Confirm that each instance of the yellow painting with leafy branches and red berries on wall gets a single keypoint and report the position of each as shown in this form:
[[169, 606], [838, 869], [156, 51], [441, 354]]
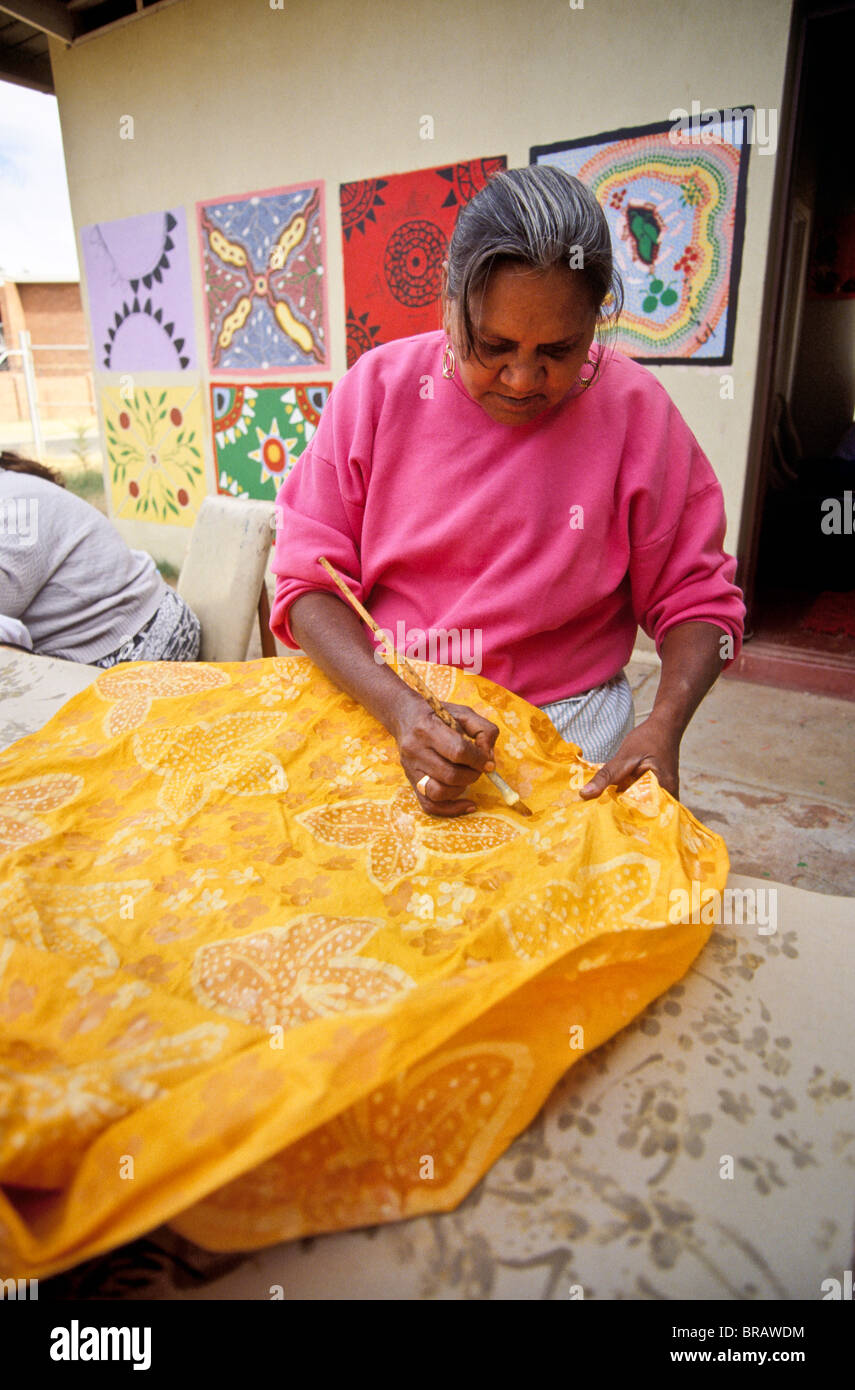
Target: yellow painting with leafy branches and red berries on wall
[[155, 454]]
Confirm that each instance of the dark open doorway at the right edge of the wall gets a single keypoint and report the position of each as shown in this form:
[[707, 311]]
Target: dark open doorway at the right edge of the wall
[[799, 544]]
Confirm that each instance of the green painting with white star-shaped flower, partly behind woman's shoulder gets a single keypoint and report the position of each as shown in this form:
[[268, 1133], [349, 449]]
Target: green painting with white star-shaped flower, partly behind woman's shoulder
[[261, 433]]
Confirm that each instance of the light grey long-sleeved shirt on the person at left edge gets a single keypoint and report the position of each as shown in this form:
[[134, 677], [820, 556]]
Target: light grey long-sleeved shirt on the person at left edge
[[67, 575]]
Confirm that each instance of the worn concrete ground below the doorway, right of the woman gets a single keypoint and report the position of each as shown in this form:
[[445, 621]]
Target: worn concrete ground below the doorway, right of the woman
[[774, 774]]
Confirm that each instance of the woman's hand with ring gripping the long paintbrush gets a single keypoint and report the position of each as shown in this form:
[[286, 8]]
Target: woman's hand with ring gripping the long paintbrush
[[427, 747]]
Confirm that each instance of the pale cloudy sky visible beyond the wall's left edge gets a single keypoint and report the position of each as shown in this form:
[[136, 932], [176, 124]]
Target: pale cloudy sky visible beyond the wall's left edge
[[37, 233]]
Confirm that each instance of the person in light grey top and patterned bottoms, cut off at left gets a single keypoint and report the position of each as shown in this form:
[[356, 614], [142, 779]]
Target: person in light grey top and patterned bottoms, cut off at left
[[72, 589]]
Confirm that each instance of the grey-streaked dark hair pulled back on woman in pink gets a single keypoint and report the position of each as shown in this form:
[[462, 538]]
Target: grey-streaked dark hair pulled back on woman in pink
[[539, 216]]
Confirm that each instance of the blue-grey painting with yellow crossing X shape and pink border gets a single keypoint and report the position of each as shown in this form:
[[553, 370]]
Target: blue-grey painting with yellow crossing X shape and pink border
[[265, 284]]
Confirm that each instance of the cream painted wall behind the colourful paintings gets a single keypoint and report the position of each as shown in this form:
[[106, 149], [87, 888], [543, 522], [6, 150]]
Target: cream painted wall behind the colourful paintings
[[234, 95]]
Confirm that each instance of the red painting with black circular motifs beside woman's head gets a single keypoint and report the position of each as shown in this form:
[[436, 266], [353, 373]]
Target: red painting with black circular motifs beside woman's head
[[396, 236]]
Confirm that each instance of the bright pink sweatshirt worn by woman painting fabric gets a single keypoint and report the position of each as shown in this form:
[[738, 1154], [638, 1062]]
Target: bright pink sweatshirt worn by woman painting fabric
[[543, 546]]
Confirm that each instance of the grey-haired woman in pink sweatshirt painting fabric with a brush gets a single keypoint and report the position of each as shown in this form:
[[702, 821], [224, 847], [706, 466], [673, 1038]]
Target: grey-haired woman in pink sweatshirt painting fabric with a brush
[[511, 479]]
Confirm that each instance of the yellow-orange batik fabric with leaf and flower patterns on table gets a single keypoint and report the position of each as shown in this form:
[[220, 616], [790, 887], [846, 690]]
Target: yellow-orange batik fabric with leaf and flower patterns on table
[[250, 989]]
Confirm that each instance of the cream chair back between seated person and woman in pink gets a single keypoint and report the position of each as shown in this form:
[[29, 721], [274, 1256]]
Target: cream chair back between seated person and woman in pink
[[223, 576]]
